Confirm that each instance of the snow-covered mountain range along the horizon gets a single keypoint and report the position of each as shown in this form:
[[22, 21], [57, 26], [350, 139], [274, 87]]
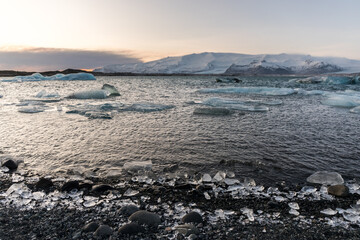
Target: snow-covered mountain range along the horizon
[[233, 63]]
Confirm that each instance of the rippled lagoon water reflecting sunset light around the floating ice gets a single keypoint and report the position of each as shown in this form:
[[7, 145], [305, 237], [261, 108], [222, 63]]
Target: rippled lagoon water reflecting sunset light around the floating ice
[[288, 142]]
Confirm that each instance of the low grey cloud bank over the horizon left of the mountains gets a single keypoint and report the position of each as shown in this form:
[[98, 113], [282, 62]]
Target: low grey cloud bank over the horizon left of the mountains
[[44, 59]]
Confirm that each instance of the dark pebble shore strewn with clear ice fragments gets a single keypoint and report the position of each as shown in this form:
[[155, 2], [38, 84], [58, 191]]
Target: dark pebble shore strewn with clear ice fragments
[[224, 214]]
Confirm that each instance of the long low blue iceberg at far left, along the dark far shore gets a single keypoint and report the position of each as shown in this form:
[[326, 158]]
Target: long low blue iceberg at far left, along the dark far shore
[[57, 77]]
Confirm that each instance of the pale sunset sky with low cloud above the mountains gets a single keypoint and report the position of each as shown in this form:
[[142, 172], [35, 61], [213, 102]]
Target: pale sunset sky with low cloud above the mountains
[[59, 34]]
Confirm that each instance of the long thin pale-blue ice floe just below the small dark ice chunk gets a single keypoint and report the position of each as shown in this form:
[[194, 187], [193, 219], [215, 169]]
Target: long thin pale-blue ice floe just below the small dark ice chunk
[[251, 90]]
